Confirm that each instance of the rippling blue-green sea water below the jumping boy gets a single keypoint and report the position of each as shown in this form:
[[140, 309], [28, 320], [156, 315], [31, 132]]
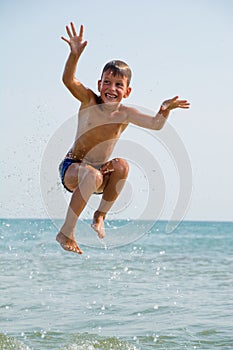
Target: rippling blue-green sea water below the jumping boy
[[161, 291]]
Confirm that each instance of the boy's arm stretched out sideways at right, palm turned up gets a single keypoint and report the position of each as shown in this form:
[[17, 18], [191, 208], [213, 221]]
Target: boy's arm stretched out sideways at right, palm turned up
[[157, 122]]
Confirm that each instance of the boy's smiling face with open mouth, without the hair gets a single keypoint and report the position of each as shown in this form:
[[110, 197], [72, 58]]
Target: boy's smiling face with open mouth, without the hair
[[113, 88]]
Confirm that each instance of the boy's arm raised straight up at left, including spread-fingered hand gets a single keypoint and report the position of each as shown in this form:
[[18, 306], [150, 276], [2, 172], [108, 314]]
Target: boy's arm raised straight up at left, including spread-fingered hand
[[76, 48]]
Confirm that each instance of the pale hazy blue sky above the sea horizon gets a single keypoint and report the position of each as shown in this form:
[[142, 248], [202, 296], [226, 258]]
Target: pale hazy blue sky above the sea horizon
[[178, 47]]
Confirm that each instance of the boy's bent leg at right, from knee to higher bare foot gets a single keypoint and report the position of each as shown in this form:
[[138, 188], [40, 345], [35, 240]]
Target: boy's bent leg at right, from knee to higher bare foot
[[111, 191]]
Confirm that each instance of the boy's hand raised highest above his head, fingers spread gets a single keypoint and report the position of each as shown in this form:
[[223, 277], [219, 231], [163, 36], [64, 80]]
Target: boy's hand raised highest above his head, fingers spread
[[76, 43]]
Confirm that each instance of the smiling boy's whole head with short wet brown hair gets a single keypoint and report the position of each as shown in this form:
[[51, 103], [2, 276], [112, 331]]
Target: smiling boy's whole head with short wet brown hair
[[114, 82]]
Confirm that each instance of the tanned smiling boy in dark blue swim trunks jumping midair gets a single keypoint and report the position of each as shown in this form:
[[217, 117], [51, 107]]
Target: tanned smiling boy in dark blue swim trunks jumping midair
[[86, 168]]
